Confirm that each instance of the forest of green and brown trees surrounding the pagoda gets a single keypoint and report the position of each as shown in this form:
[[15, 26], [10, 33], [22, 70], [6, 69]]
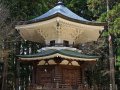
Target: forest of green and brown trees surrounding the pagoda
[[13, 12]]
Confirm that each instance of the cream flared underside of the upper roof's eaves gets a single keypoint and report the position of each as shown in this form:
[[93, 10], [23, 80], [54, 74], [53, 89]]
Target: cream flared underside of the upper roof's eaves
[[59, 29]]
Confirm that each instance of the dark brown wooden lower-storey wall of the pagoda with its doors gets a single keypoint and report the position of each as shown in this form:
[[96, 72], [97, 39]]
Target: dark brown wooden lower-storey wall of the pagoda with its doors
[[64, 75]]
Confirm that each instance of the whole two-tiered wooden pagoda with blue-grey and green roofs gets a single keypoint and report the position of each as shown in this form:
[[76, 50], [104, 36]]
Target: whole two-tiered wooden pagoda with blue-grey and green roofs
[[59, 65]]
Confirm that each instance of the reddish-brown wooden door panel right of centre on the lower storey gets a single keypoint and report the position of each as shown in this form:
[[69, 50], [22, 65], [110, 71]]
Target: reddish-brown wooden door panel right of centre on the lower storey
[[71, 76]]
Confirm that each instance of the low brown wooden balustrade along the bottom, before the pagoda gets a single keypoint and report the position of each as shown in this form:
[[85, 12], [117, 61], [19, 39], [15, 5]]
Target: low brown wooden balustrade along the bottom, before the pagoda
[[66, 87]]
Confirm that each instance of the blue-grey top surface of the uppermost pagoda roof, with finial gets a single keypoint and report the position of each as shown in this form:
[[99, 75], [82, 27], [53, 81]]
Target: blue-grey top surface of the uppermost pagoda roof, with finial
[[59, 9]]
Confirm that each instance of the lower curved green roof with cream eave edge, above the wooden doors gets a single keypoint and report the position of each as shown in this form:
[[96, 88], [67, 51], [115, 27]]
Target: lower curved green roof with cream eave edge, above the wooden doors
[[64, 53]]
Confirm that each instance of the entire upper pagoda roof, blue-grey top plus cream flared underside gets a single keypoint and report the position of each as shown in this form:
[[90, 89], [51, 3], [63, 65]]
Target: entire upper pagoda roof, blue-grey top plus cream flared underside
[[60, 24]]
